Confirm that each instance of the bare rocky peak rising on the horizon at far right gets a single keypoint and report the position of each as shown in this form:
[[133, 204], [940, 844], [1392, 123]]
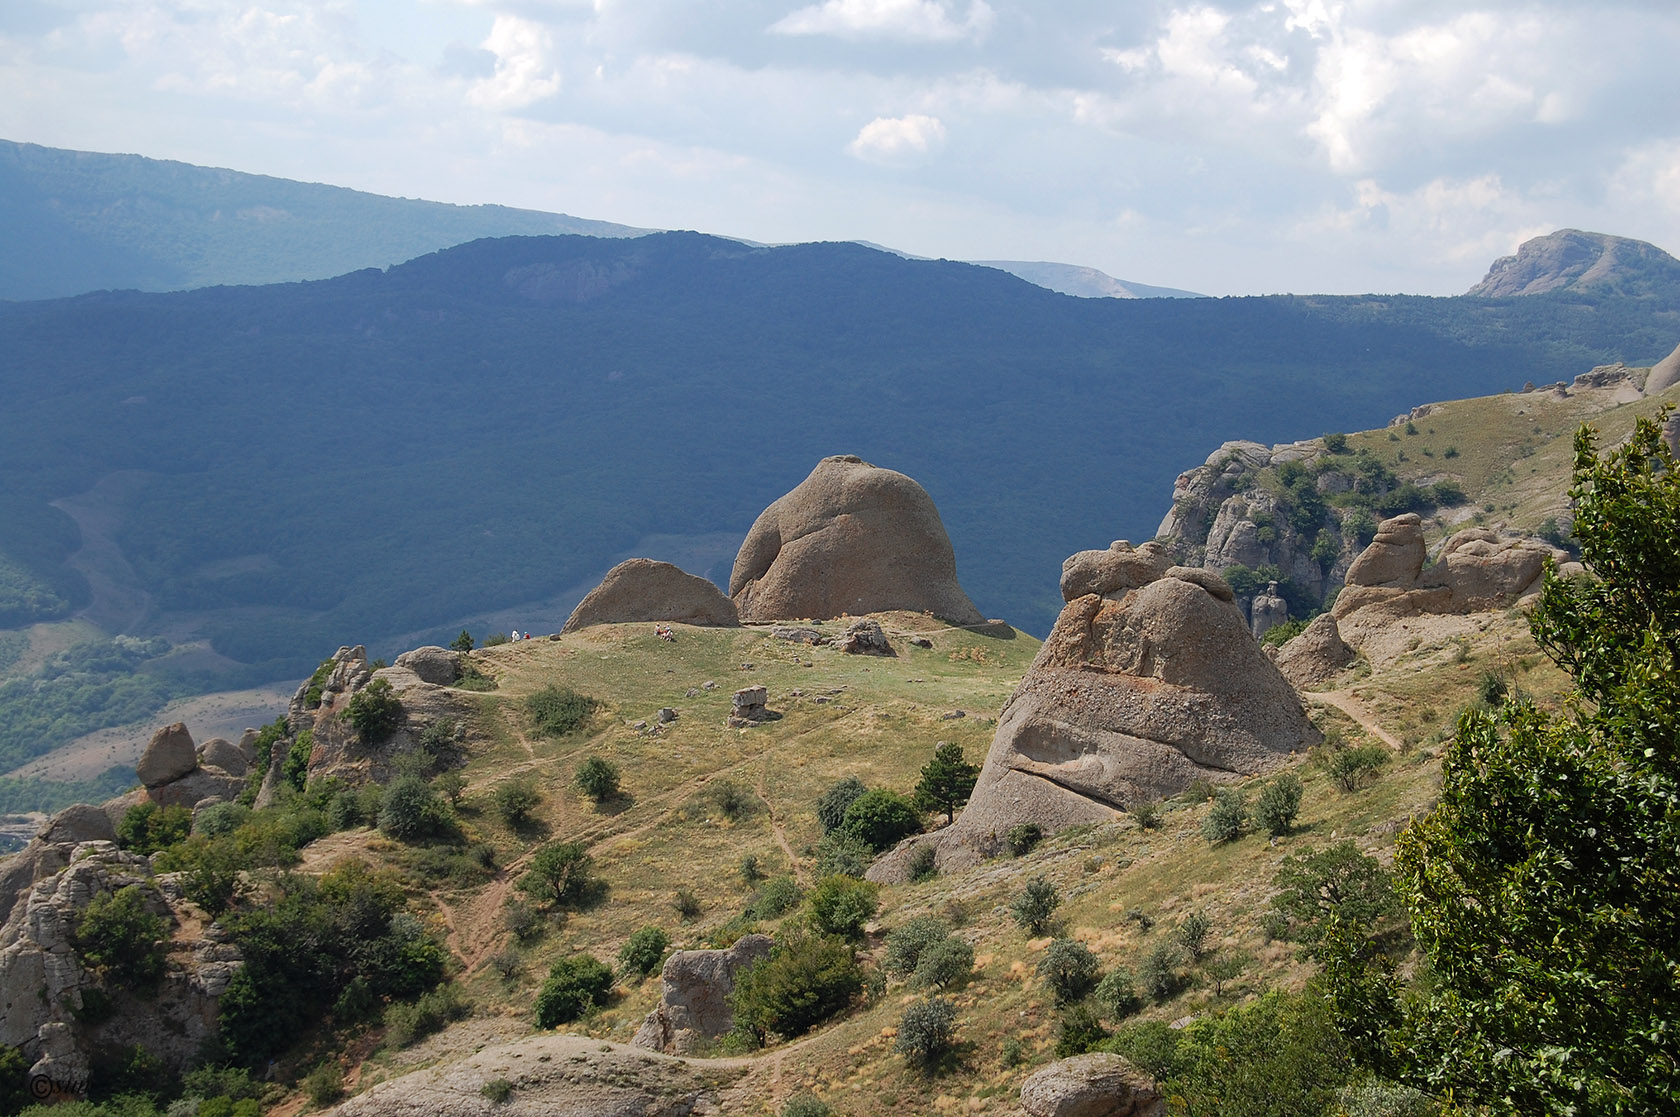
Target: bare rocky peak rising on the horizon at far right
[[1572, 260]]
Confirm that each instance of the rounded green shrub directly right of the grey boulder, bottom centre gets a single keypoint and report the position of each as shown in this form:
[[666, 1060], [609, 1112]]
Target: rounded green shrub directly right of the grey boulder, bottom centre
[[806, 980]]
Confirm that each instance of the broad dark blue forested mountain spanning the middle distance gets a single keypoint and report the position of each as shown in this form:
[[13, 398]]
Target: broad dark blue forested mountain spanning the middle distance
[[396, 454]]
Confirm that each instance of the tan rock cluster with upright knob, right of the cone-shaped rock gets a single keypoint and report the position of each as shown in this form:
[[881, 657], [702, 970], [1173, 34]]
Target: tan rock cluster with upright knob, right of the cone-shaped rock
[[1478, 570]]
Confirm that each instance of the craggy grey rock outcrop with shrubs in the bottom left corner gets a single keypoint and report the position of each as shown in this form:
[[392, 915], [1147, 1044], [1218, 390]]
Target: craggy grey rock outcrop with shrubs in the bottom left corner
[[43, 982]]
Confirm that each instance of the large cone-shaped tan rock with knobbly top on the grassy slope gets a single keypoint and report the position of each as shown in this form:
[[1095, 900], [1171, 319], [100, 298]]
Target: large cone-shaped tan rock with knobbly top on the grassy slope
[[1133, 696]]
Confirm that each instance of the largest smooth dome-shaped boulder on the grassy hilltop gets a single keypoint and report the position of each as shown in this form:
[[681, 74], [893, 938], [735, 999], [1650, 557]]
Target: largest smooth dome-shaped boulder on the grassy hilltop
[[851, 538]]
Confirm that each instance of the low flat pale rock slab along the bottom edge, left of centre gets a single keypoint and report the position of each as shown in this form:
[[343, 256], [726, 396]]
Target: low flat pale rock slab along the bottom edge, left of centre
[[552, 1076]]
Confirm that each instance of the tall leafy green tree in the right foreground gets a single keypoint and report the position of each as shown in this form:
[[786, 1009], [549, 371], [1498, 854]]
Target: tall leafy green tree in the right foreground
[[1545, 889]]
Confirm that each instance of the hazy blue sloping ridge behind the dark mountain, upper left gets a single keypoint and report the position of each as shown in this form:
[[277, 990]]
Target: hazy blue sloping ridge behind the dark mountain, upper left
[[81, 221]]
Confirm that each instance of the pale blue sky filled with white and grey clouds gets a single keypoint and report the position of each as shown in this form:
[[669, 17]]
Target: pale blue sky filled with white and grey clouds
[[1226, 147]]
